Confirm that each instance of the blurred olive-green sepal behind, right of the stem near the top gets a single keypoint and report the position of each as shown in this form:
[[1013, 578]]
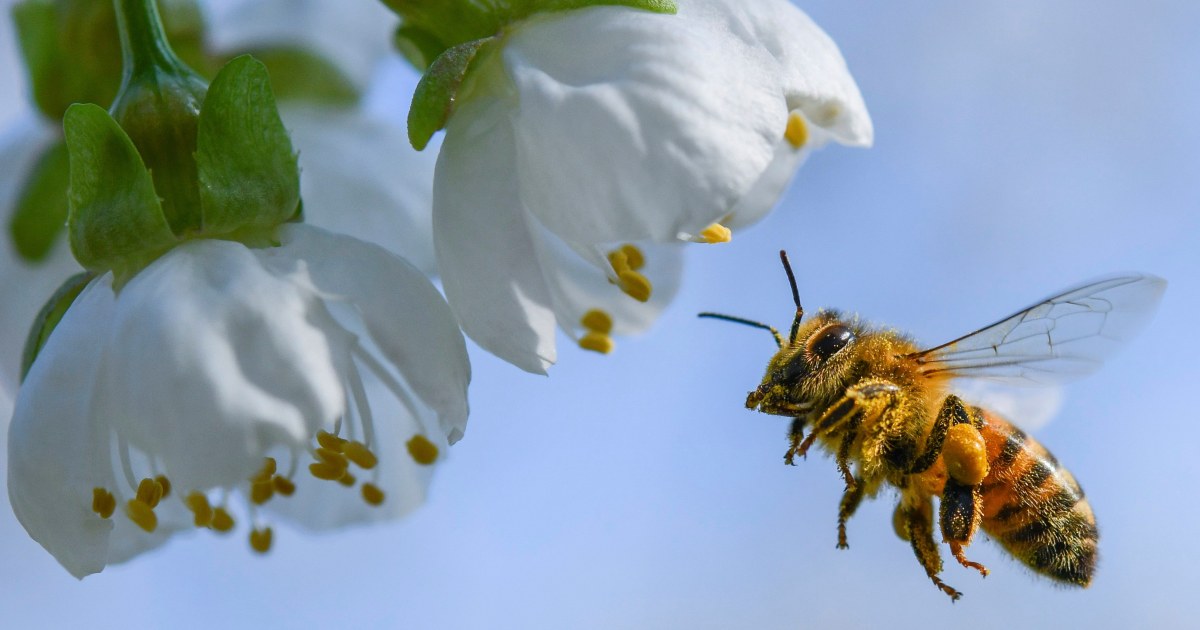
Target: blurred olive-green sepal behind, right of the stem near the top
[[301, 75]]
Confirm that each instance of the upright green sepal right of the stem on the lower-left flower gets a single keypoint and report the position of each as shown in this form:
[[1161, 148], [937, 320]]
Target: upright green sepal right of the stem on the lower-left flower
[[249, 173]]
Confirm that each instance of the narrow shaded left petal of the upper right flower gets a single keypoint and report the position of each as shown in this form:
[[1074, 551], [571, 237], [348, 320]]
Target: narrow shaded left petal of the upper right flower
[[485, 253]]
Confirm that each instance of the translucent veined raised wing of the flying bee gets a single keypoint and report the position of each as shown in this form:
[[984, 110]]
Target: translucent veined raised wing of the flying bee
[[1060, 339]]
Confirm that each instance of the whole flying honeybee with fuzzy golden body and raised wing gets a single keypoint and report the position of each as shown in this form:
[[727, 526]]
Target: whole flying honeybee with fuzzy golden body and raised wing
[[884, 409]]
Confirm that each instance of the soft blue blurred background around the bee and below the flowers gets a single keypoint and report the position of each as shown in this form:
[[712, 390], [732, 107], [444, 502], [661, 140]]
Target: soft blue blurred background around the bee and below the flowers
[[1022, 147]]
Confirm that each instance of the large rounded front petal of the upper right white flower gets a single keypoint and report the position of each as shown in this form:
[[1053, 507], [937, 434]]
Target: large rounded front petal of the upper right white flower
[[639, 127]]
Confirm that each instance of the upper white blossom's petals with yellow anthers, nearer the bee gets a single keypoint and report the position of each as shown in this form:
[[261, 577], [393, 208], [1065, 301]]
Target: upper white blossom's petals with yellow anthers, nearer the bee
[[604, 127]]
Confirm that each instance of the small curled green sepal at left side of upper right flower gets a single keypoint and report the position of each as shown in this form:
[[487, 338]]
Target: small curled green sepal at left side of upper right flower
[[435, 97]]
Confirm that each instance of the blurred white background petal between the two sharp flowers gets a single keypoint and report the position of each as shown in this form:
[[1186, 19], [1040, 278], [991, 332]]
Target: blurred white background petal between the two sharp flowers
[[361, 177]]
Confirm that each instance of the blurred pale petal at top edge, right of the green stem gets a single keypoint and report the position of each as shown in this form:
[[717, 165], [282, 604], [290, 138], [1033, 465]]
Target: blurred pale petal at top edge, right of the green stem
[[353, 35]]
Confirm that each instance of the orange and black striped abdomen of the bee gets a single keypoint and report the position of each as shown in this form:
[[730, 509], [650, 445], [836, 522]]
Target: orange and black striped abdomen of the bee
[[1035, 508]]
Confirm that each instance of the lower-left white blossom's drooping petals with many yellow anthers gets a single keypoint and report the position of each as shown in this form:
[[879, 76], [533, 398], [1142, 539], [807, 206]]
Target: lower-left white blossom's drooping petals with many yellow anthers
[[226, 371]]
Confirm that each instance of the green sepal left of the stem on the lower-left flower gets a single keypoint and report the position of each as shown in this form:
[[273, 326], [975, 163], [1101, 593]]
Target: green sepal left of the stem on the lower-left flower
[[116, 220]]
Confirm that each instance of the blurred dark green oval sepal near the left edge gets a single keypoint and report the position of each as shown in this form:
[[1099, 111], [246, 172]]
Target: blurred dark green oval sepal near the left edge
[[41, 209]]
